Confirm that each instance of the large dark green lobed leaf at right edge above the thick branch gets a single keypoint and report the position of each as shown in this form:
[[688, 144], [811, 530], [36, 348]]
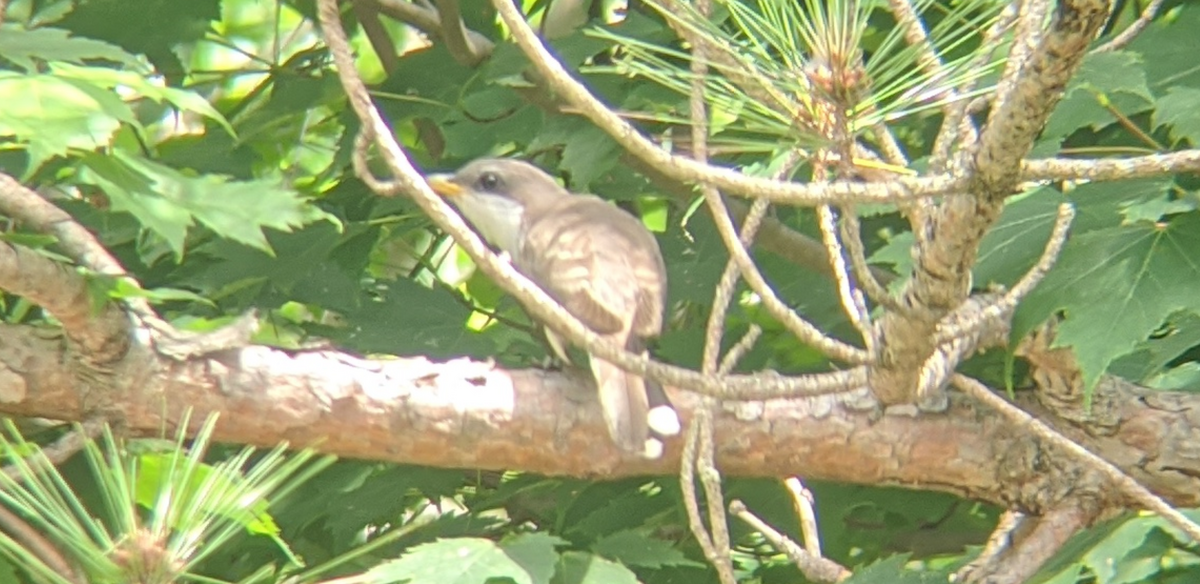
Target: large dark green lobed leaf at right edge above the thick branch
[[1117, 287]]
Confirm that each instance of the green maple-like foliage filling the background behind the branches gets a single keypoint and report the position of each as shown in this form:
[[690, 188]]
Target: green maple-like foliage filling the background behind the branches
[[207, 143]]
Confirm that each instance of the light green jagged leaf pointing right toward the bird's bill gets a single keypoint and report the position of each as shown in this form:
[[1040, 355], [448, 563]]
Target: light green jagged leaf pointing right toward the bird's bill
[[169, 202]]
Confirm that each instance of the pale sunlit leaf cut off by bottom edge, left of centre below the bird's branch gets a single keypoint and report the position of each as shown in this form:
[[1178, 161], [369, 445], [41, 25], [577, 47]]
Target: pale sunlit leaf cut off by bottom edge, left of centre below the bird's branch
[[465, 561]]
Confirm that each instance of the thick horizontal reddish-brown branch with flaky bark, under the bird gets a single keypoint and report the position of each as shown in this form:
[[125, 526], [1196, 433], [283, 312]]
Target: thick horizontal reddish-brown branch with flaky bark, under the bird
[[470, 414]]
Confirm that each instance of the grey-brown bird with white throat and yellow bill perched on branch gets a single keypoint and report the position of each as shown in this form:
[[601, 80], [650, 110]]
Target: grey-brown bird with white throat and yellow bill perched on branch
[[597, 261]]
